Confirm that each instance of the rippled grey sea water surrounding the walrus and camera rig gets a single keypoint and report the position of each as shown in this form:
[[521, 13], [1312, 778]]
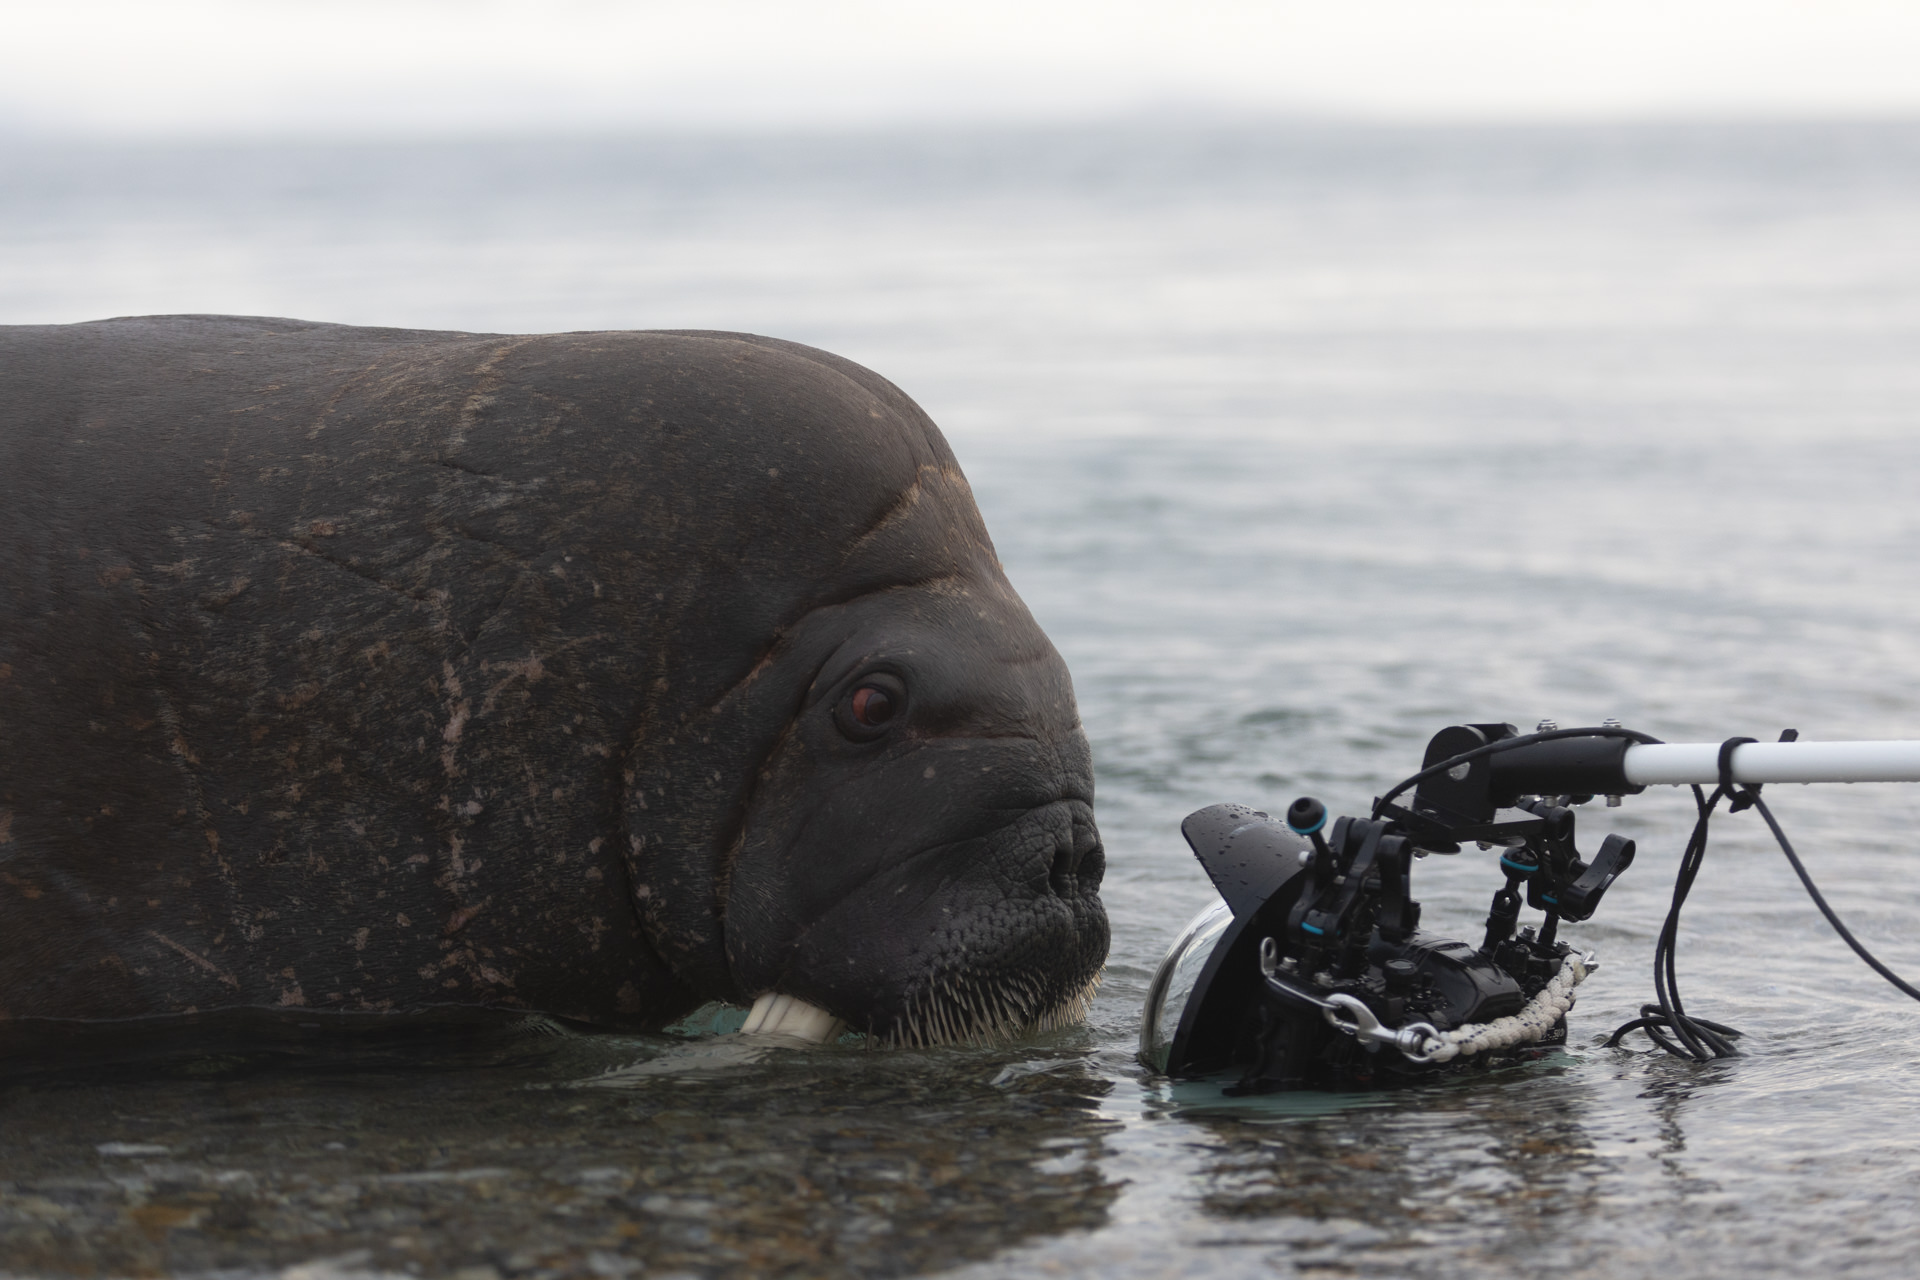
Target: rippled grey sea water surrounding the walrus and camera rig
[[1303, 444]]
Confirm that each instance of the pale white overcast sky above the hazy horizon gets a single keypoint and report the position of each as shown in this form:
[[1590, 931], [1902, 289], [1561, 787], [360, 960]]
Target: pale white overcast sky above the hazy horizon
[[489, 66]]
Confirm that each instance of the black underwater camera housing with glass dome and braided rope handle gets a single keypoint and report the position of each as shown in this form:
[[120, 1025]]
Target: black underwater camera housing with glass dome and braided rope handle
[[1312, 972]]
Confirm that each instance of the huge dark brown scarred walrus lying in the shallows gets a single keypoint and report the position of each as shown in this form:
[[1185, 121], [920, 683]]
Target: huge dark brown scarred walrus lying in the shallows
[[598, 675]]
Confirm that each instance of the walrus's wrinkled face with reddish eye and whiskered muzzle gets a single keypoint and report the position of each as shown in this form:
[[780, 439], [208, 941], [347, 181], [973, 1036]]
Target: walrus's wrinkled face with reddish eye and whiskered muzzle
[[921, 855]]
